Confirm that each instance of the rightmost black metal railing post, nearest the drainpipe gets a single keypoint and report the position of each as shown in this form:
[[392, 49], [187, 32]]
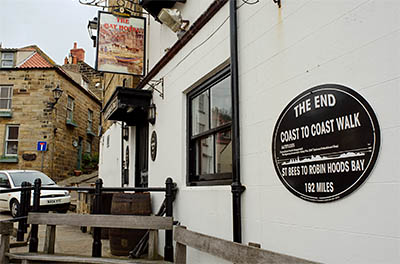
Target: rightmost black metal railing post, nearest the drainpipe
[[169, 198]]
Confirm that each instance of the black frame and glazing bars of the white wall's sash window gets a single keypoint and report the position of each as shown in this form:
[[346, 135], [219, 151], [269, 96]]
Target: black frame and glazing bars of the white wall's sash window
[[208, 179]]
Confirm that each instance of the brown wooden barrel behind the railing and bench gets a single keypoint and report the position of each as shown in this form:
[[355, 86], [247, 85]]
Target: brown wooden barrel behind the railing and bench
[[122, 241]]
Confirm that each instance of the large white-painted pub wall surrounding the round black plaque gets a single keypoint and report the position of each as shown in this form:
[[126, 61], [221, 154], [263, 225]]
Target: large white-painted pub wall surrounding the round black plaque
[[283, 52]]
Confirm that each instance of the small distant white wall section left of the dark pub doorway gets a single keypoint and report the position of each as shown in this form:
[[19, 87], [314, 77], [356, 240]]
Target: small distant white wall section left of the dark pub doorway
[[110, 156]]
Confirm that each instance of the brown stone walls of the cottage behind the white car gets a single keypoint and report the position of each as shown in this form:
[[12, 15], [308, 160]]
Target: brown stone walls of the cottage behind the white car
[[32, 90]]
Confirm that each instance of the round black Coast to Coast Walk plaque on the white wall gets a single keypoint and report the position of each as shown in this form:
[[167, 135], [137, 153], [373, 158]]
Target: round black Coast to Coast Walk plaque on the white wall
[[325, 143]]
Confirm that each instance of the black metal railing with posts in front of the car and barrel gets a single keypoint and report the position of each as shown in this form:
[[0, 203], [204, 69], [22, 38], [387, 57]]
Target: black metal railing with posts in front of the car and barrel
[[25, 207]]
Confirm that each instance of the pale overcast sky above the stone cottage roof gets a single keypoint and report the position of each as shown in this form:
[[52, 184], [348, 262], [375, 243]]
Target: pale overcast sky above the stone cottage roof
[[52, 25]]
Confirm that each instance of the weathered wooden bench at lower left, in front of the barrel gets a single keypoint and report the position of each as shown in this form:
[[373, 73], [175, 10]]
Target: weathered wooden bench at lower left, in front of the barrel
[[152, 223]]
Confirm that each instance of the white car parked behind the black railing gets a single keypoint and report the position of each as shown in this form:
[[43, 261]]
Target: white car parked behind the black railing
[[50, 200]]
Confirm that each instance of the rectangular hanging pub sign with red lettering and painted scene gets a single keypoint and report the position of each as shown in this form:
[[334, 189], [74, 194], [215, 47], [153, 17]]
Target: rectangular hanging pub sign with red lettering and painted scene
[[121, 44]]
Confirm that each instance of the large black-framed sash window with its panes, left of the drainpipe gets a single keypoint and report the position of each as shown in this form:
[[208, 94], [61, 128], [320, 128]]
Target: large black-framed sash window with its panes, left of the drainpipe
[[209, 137]]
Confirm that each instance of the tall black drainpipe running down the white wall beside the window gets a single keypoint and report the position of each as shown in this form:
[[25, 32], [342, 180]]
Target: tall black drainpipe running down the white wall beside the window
[[237, 187]]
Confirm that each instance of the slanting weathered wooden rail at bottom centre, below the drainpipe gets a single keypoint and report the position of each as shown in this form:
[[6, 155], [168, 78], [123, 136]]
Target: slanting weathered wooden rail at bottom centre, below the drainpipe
[[227, 250]]
